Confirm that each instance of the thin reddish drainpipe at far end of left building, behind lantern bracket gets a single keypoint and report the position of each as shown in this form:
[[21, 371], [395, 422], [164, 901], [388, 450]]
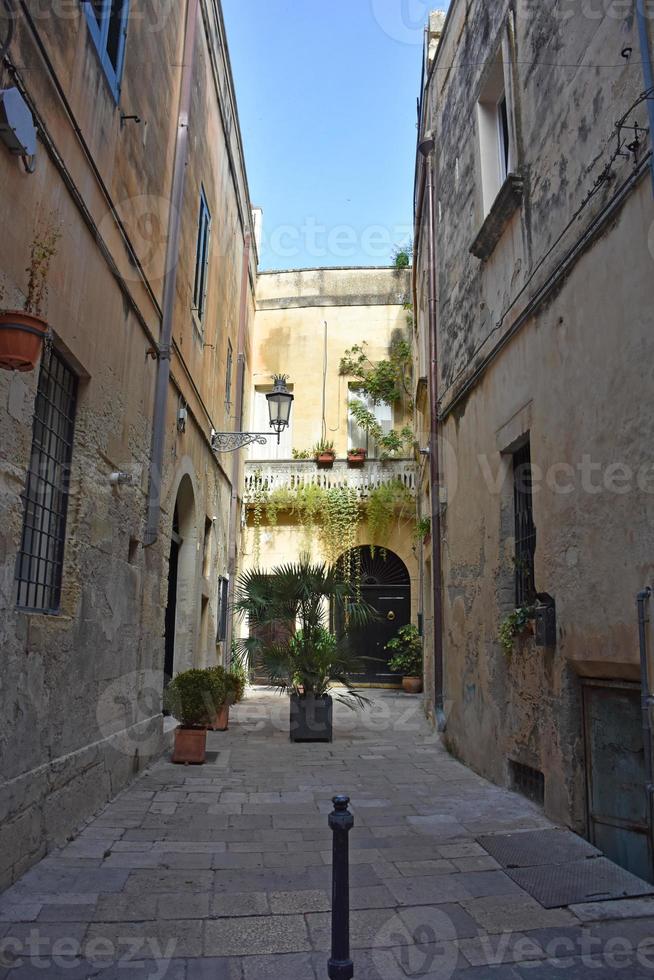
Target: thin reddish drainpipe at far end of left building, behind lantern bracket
[[234, 507]]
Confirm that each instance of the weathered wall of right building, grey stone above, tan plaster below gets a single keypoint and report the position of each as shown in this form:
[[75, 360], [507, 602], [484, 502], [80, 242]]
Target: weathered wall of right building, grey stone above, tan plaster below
[[548, 337]]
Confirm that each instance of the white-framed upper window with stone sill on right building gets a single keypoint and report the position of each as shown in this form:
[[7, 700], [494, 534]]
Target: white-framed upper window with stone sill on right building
[[496, 150]]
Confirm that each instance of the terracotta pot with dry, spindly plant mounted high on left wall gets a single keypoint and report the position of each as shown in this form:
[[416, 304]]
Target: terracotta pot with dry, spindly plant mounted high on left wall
[[22, 332]]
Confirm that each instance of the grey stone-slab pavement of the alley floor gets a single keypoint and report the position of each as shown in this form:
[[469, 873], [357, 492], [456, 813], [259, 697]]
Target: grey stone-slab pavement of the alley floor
[[223, 871]]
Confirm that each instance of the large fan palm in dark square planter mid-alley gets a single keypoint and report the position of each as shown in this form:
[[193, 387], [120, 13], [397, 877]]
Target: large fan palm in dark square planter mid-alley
[[308, 663]]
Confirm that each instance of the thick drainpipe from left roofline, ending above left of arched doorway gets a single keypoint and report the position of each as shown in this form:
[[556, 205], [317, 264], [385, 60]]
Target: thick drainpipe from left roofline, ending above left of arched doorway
[[170, 281]]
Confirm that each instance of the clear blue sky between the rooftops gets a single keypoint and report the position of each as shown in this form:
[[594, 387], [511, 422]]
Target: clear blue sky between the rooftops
[[327, 103]]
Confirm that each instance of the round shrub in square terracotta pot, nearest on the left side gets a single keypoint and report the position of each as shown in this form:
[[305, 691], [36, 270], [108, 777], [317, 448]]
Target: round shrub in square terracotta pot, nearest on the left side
[[191, 697]]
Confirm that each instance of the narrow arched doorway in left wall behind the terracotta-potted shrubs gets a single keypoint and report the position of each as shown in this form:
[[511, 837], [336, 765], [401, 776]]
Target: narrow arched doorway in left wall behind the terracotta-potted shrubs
[[181, 609]]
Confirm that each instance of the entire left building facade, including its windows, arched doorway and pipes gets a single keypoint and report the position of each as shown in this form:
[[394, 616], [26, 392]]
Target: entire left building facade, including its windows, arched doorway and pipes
[[139, 171]]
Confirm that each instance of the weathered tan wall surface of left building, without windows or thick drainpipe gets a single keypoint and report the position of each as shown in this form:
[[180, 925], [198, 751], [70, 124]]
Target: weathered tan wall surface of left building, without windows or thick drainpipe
[[80, 694]]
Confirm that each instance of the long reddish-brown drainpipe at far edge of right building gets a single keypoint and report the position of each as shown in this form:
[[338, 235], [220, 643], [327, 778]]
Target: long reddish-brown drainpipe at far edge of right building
[[426, 148]]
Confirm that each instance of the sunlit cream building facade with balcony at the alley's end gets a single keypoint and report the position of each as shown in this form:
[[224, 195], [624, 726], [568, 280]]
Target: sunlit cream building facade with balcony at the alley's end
[[305, 322]]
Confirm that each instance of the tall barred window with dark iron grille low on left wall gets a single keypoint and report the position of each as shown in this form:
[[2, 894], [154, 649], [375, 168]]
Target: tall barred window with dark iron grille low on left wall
[[39, 566]]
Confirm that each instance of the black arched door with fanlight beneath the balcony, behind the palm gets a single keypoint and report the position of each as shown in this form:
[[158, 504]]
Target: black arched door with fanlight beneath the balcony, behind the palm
[[386, 586]]
